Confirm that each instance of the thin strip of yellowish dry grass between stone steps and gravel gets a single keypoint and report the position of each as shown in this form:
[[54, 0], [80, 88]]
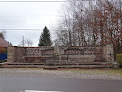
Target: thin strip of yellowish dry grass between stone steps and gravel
[[83, 71]]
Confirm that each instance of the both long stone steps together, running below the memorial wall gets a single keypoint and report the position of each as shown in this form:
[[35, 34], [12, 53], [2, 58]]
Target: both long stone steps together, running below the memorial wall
[[56, 65]]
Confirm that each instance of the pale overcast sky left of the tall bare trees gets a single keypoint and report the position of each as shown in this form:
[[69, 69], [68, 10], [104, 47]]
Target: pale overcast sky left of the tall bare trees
[[28, 15]]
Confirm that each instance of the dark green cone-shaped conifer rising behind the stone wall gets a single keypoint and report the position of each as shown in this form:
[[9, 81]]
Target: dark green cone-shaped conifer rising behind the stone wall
[[45, 39]]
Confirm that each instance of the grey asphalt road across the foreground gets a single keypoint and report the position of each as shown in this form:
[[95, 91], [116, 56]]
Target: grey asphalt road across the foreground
[[22, 84]]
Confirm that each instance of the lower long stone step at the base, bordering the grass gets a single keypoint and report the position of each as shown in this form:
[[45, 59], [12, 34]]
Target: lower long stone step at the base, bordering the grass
[[56, 66]]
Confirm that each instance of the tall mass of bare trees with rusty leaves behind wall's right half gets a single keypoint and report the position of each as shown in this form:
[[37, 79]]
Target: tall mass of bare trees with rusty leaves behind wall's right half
[[97, 23]]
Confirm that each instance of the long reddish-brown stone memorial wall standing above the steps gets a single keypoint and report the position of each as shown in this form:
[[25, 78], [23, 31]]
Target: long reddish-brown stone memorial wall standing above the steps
[[52, 54]]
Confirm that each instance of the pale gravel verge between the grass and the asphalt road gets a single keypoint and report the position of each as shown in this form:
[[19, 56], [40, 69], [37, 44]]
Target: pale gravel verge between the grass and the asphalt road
[[56, 74]]
